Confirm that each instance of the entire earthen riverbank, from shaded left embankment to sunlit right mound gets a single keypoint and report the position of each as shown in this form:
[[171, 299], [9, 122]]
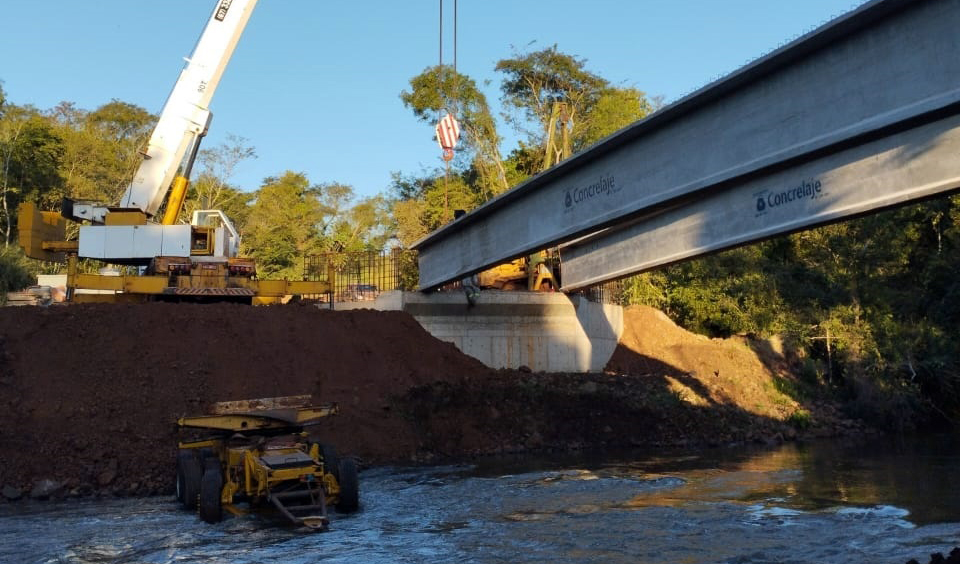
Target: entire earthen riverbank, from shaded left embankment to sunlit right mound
[[89, 394]]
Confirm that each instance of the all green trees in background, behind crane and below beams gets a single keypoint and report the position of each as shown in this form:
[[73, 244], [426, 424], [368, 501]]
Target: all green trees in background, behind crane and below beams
[[869, 306]]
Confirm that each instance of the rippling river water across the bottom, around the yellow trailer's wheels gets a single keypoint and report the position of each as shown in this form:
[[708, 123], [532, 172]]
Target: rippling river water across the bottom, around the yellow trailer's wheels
[[887, 500]]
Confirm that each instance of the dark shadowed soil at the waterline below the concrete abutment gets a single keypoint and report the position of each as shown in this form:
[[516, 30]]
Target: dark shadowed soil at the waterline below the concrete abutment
[[633, 405]]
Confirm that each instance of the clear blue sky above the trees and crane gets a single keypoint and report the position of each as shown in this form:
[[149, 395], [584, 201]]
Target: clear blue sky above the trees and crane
[[314, 86]]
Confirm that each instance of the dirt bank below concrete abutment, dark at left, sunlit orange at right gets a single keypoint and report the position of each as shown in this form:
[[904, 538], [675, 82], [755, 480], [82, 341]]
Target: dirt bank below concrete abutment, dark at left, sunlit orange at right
[[663, 386]]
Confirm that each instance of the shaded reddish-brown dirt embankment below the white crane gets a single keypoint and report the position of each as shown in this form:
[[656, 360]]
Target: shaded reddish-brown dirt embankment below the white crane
[[89, 393]]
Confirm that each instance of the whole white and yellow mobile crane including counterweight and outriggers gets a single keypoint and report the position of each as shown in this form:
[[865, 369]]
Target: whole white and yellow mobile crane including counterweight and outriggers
[[175, 261]]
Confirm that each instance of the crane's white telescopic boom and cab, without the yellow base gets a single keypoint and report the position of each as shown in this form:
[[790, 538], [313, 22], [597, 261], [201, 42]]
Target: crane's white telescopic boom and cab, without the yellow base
[[128, 233]]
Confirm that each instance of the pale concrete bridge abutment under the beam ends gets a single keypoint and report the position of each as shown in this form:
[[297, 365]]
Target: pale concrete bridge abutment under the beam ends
[[549, 332]]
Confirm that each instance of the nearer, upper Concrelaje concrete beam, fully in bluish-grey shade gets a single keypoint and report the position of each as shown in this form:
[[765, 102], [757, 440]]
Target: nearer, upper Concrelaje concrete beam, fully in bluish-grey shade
[[886, 68]]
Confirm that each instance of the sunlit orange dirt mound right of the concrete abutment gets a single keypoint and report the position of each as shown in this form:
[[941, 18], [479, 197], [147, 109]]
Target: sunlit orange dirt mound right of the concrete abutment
[[751, 376]]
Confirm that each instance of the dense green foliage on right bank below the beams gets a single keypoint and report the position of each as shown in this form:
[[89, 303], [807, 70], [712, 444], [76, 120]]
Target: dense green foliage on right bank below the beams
[[870, 306]]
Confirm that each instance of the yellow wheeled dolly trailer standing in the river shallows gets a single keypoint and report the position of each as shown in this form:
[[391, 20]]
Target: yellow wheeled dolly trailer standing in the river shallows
[[257, 452]]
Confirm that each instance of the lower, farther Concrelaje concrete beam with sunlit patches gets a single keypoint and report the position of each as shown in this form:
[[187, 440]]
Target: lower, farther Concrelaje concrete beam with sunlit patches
[[897, 169]]
